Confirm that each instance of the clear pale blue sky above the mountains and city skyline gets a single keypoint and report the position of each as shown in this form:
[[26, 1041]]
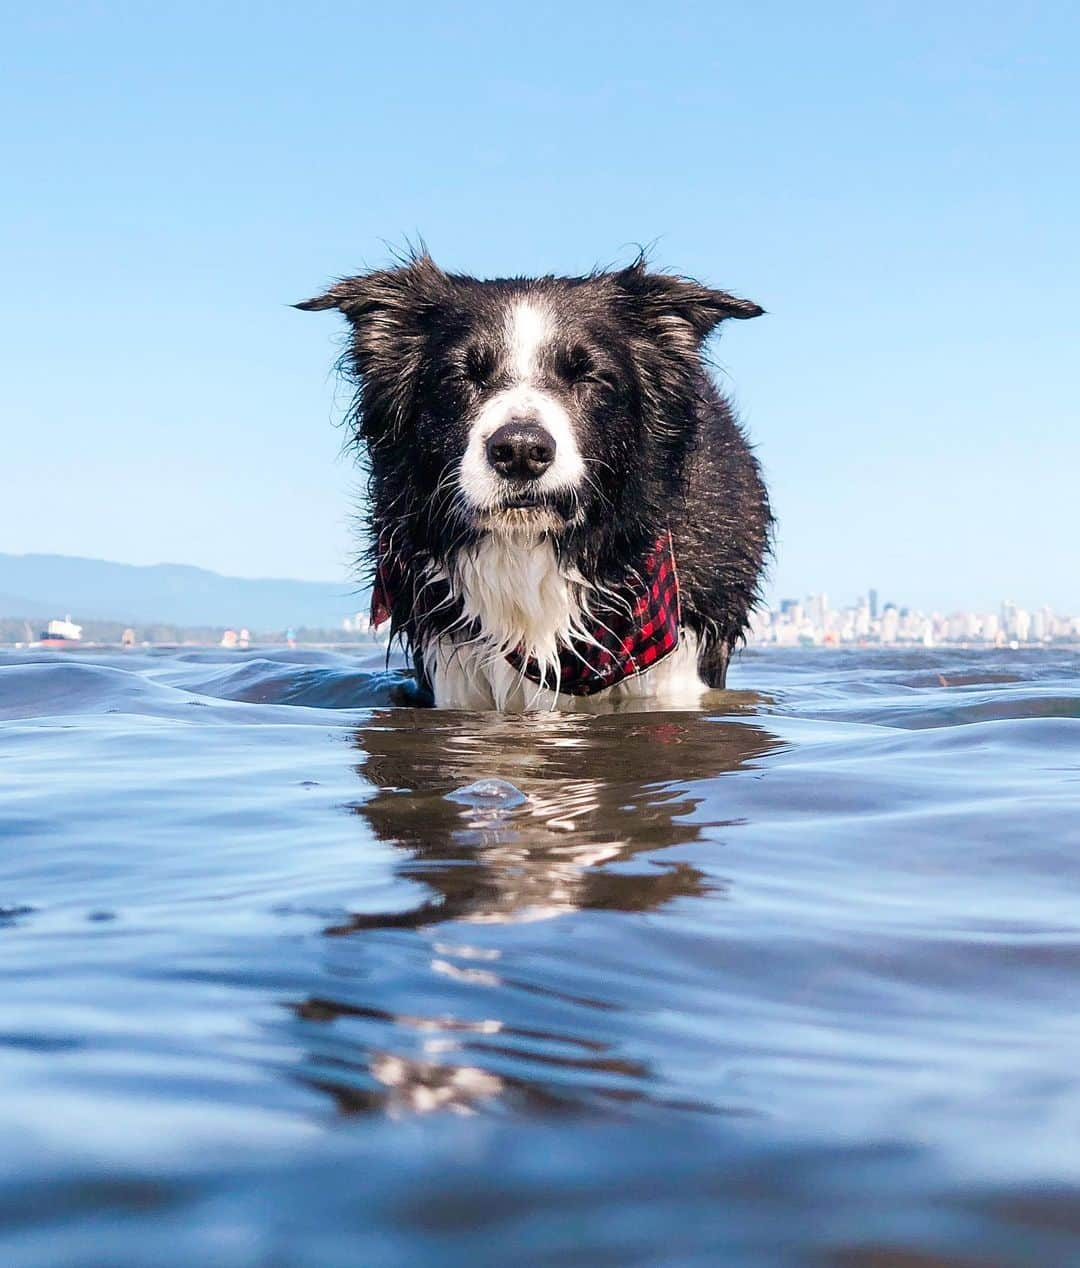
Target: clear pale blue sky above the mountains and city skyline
[[898, 184]]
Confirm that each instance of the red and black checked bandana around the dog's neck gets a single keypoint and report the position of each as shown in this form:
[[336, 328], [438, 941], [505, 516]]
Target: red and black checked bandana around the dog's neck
[[629, 636]]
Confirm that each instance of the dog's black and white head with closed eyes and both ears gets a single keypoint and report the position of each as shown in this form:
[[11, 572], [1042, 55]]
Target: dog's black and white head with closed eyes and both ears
[[527, 406]]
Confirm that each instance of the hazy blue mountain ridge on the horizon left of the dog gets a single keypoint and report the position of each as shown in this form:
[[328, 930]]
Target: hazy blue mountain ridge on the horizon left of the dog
[[37, 586]]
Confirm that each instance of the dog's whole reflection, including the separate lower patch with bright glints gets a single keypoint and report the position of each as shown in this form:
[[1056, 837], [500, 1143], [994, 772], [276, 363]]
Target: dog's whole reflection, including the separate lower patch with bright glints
[[513, 820]]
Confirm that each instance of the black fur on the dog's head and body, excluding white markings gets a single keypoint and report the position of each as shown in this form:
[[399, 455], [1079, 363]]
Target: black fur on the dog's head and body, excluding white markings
[[662, 446]]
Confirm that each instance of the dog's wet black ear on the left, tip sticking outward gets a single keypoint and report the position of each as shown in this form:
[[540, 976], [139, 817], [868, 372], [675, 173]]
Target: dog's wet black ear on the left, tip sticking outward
[[391, 313]]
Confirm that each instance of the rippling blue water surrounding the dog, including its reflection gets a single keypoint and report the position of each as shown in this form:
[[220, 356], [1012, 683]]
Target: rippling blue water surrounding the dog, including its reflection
[[295, 974]]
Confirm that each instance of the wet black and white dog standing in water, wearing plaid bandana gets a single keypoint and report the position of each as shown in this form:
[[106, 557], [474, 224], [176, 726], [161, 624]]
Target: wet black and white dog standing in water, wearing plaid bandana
[[563, 509]]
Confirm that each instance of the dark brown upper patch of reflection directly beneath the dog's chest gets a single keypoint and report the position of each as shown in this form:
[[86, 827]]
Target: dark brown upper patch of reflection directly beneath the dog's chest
[[509, 818]]
